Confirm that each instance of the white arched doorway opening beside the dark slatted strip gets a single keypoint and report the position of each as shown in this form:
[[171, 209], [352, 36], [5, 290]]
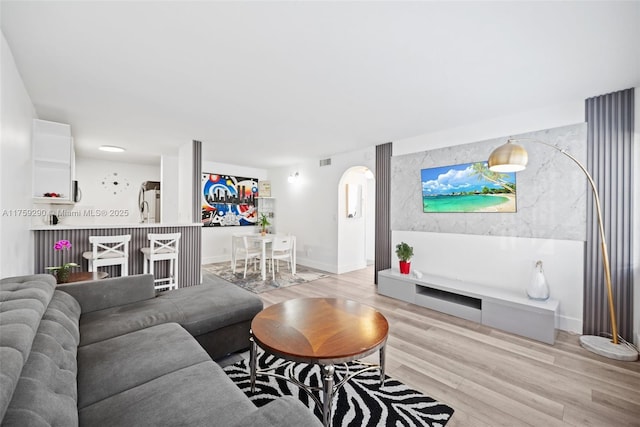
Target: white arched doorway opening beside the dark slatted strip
[[356, 219]]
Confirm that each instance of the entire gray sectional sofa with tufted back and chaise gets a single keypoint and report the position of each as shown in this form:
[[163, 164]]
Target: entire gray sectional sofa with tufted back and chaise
[[111, 353]]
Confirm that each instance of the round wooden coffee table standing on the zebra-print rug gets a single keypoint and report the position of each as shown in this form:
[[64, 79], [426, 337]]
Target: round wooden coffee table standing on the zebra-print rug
[[321, 331]]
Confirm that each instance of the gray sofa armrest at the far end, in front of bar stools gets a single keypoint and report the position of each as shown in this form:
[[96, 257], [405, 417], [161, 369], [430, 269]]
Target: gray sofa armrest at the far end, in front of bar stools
[[97, 295]]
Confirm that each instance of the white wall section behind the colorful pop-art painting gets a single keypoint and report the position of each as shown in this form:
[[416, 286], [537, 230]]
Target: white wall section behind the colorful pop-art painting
[[216, 241]]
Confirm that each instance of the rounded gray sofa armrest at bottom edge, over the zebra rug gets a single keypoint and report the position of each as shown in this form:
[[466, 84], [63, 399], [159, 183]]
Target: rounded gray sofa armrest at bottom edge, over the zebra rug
[[282, 412]]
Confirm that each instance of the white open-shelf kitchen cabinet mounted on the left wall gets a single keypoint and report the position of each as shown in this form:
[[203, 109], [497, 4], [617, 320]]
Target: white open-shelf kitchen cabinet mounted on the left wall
[[53, 162]]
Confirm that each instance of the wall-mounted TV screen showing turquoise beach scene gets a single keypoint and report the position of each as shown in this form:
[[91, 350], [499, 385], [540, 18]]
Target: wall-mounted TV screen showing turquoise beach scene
[[468, 187]]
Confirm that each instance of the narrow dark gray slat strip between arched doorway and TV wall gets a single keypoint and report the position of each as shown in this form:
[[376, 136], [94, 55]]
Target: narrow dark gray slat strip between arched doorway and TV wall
[[383, 209]]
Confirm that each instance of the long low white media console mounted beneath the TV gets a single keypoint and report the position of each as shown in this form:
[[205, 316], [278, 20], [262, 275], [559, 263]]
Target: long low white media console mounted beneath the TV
[[493, 307]]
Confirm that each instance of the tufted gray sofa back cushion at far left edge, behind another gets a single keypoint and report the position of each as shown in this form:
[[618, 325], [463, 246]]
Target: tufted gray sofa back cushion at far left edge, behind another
[[23, 301]]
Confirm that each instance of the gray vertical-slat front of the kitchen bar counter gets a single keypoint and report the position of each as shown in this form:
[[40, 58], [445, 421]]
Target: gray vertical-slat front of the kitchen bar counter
[[189, 258]]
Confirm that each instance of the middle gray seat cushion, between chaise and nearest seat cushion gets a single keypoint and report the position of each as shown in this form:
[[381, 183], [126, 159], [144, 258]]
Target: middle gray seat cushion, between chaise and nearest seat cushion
[[112, 366]]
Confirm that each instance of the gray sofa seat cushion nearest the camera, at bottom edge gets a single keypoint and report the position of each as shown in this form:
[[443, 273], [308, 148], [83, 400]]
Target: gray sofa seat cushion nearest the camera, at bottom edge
[[199, 395]]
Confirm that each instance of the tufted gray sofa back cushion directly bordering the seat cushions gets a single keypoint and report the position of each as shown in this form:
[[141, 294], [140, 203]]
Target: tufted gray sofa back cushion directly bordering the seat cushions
[[46, 393]]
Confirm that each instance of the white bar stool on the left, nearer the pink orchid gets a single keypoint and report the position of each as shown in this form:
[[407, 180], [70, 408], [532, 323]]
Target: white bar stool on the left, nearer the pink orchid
[[109, 250]]
